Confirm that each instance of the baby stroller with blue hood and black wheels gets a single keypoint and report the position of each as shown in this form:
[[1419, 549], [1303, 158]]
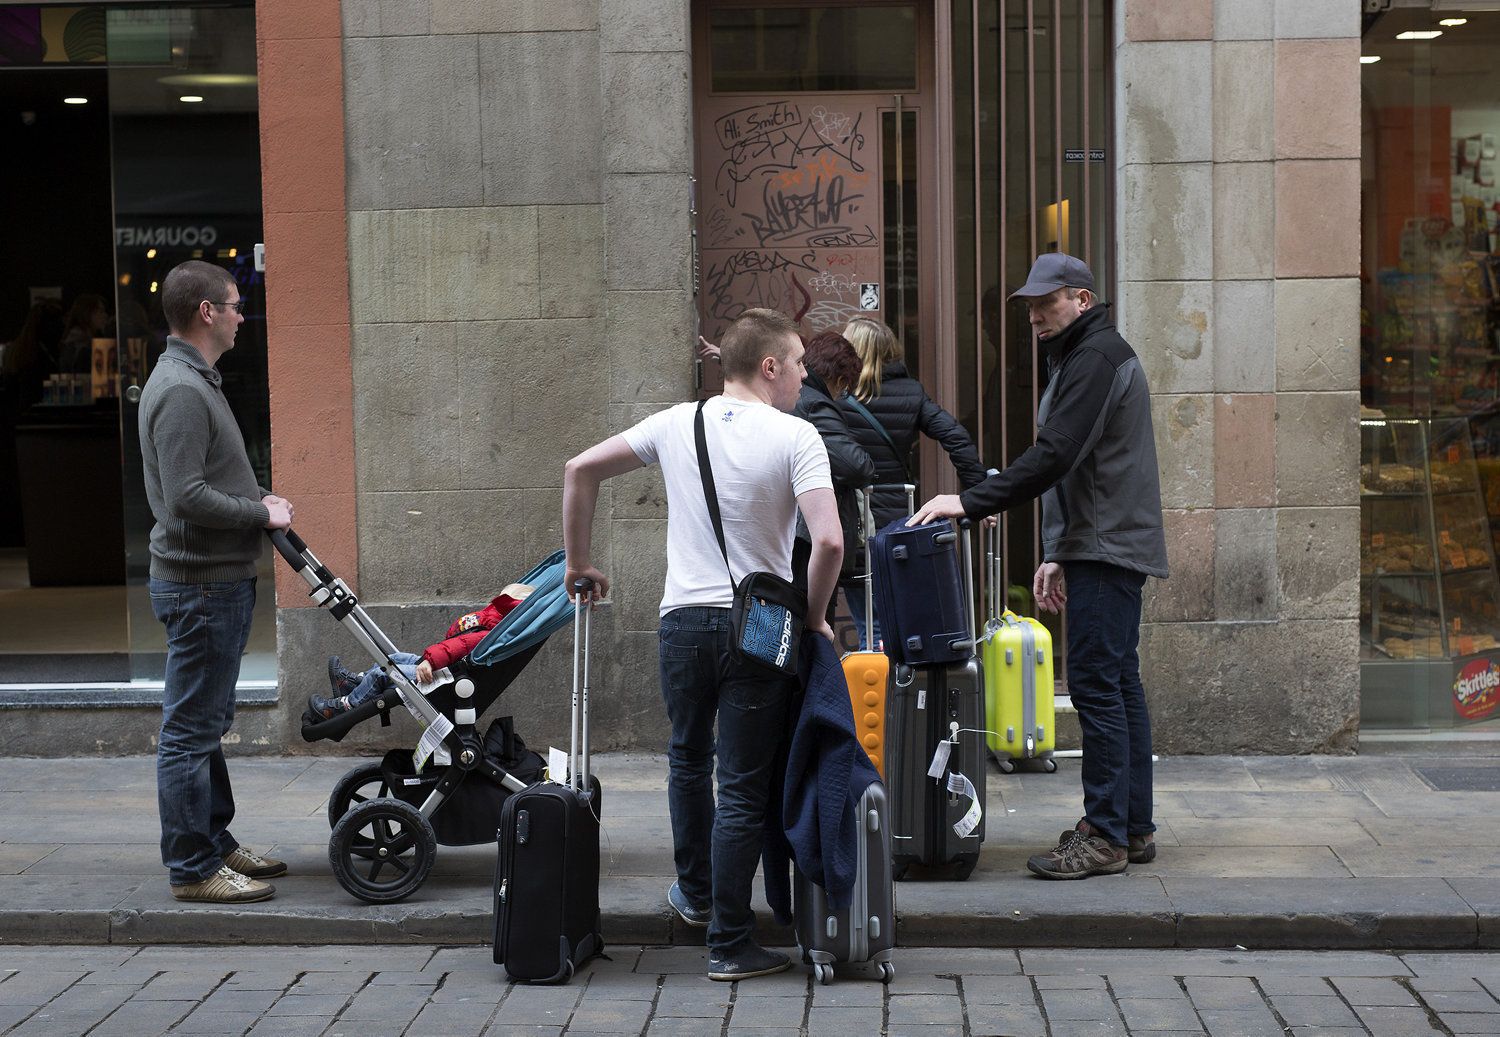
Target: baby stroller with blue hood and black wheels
[[389, 817]]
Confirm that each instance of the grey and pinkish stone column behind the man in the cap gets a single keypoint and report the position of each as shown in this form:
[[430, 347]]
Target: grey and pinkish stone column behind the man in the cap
[[1238, 143]]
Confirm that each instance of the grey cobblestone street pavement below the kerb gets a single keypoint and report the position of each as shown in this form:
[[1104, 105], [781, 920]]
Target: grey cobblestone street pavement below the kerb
[[659, 993]]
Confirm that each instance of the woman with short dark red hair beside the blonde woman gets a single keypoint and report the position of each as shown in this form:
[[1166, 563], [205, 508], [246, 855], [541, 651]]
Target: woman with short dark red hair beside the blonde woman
[[832, 370]]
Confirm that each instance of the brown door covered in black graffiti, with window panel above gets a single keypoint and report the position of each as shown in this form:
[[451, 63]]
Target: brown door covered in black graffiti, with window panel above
[[812, 131]]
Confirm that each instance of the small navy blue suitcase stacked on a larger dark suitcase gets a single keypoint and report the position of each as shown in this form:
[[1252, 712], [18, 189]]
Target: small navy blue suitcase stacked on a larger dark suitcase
[[919, 588]]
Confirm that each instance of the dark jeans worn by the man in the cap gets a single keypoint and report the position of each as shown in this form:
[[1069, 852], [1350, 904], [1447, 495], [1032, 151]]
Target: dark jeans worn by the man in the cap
[[1106, 690]]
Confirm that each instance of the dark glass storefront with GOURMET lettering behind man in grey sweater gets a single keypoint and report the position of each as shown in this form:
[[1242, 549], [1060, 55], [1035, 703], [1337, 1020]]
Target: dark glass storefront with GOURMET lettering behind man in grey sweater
[[133, 145]]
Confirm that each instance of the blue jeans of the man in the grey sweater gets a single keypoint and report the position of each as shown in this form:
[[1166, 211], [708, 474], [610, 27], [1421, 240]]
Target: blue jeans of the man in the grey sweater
[[208, 627]]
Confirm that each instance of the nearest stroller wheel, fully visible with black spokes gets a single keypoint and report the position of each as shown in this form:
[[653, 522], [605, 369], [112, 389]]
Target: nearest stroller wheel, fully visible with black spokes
[[383, 850]]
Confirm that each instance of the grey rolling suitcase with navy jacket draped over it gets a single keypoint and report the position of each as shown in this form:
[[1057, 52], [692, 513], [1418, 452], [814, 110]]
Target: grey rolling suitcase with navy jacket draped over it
[[863, 933]]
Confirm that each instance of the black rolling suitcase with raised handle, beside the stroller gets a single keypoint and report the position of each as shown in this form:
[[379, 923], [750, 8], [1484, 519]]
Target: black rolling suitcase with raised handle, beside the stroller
[[547, 883]]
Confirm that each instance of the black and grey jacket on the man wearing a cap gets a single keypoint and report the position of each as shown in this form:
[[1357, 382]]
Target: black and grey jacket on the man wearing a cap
[[1094, 463]]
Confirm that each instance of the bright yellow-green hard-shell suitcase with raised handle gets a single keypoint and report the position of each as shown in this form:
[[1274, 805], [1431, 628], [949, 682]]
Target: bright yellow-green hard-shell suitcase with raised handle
[[1019, 691]]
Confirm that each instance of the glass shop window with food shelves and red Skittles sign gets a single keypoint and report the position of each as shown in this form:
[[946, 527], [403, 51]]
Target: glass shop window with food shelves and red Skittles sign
[[1430, 371]]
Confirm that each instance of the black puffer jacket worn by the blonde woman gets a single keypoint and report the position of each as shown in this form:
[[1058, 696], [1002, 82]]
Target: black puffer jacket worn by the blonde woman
[[907, 412]]
